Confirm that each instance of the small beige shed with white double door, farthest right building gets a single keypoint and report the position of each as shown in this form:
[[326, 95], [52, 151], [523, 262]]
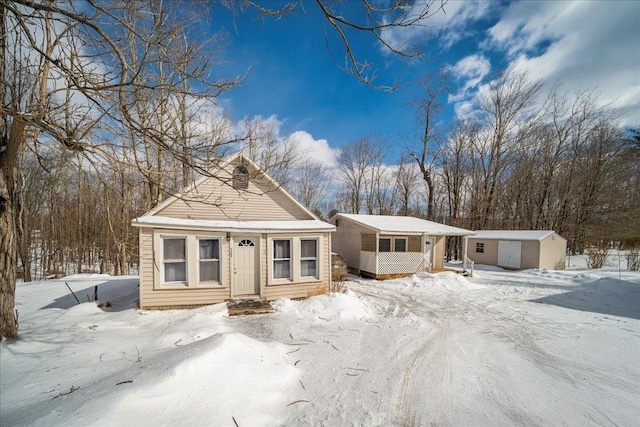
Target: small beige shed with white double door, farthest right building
[[518, 249]]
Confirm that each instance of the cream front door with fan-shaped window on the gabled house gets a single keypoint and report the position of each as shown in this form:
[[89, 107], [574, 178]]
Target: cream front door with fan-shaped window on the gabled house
[[245, 263]]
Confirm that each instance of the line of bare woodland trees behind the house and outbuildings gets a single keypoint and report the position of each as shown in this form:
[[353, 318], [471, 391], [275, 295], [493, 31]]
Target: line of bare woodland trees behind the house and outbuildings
[[524, 159]]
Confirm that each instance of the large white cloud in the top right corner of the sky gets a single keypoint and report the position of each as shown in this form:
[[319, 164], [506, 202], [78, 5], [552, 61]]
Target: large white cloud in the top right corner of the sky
[[584, 45]]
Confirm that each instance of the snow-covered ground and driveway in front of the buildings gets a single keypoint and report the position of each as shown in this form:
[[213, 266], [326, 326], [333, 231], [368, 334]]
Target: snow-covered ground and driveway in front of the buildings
[[531, 347]]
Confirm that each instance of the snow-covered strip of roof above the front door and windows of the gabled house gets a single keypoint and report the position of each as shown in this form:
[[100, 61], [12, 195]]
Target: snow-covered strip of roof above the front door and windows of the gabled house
[[230, 225]]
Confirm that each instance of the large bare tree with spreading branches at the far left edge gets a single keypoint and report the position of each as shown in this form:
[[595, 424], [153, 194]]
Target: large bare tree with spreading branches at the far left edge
[[67, 76]]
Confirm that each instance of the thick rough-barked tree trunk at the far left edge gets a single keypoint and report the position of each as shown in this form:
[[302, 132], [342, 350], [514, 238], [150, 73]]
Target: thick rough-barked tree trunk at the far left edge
[[8, 234]]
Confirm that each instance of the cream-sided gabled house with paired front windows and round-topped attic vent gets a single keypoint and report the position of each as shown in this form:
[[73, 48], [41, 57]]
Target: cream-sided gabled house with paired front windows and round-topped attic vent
[[234, 235]]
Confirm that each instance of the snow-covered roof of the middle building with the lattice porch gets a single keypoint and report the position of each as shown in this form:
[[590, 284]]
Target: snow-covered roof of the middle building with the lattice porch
[[405, 225]]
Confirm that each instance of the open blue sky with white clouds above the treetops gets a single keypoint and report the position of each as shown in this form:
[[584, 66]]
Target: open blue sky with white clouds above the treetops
[[295, 82]]
